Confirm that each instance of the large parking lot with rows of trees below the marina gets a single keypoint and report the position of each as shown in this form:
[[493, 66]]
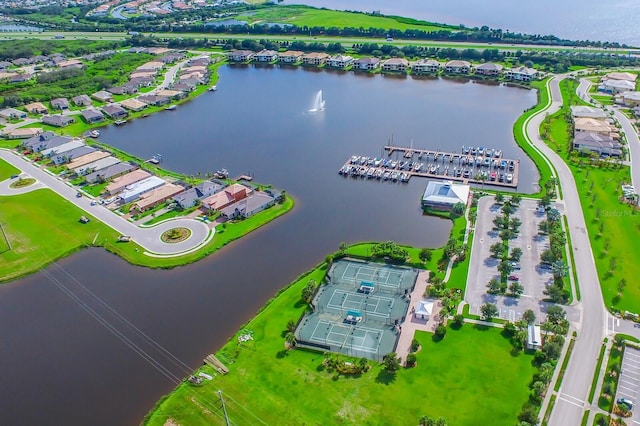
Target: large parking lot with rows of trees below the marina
[[483, 267]]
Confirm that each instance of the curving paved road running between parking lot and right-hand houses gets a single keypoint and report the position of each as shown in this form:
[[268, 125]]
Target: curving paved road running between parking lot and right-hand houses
[[593, 325]]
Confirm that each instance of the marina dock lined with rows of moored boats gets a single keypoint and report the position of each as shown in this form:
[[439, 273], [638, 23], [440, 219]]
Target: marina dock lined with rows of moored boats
[[473, 165]]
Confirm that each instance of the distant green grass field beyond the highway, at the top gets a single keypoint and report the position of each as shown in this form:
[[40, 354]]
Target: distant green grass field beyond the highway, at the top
[[311, 17]]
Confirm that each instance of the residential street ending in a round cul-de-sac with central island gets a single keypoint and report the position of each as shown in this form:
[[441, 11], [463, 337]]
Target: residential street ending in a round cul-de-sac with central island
[[148, 238]]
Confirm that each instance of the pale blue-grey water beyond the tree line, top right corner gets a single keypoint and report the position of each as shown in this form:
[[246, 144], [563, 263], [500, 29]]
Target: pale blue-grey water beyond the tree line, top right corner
[[613, 20]]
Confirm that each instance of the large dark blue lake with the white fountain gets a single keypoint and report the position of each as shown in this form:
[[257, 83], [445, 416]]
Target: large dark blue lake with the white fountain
[[82, 341]]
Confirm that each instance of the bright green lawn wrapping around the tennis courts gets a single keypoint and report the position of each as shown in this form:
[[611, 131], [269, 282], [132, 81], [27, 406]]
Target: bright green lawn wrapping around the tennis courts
[[484, 386]]
